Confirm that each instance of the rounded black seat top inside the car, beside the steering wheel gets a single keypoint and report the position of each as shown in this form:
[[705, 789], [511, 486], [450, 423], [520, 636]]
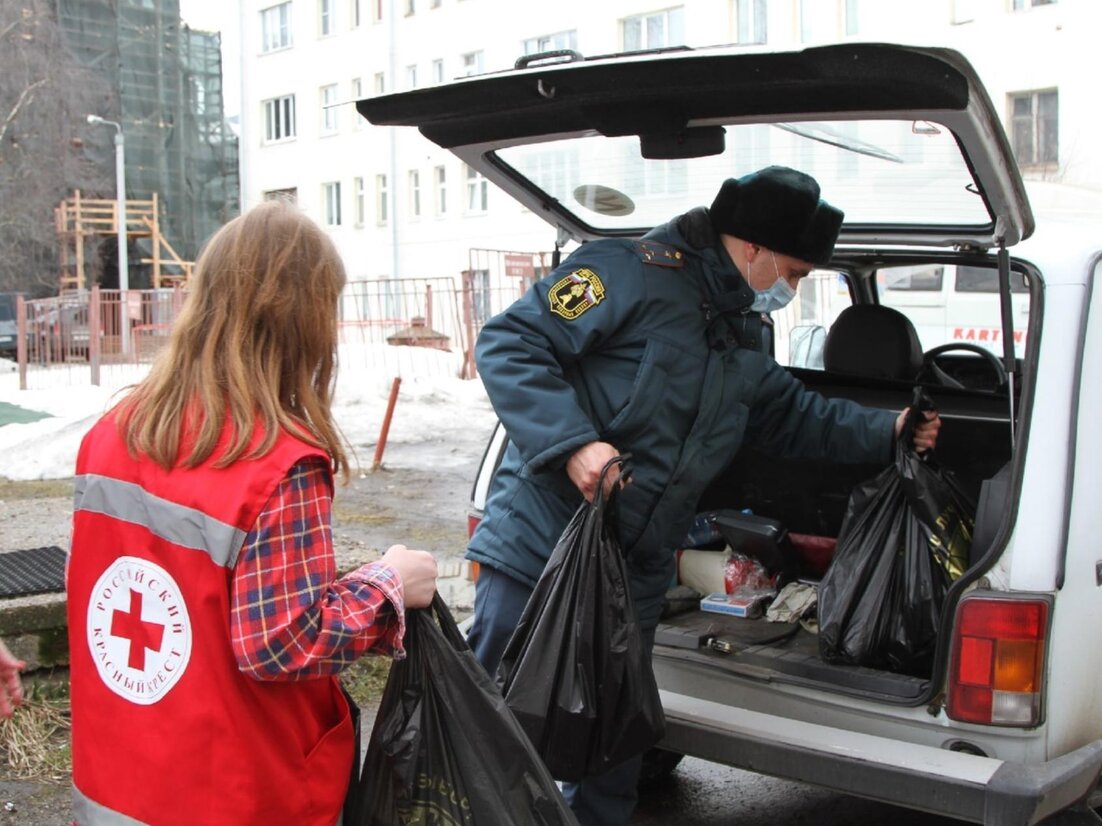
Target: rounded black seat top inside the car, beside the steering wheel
[[876, 342]]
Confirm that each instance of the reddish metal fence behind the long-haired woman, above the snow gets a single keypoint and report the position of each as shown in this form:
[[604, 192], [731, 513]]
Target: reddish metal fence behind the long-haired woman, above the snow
[[395, 327]]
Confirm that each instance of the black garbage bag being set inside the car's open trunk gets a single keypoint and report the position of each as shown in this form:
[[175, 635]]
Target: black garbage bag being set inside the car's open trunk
[[905, 538]]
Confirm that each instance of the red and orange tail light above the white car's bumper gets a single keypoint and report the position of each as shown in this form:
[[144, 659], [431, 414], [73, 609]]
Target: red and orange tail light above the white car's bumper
[[998, 661]]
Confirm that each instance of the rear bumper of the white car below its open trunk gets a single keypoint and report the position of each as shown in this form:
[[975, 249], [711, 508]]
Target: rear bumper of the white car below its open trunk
[[939, 781]]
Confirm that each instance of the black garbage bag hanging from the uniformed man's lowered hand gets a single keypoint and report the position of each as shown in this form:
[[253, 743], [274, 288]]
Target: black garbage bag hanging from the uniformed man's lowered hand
[[575, 672]]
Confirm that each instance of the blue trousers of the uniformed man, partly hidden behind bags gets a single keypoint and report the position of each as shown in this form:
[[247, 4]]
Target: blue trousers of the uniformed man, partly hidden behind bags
[[500, 601]]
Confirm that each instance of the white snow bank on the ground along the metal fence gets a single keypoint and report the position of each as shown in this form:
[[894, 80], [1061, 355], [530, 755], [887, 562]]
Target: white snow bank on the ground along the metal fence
[[439, 420]]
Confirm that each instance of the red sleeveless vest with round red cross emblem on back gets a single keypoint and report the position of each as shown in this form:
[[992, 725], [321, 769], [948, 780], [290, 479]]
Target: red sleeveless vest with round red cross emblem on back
[[166, 729]]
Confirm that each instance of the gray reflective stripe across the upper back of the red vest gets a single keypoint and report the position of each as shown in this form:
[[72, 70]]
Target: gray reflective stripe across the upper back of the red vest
[[174, 523]]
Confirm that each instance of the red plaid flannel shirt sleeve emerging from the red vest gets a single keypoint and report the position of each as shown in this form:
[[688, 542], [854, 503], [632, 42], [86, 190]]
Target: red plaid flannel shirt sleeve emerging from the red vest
[[290, 616]]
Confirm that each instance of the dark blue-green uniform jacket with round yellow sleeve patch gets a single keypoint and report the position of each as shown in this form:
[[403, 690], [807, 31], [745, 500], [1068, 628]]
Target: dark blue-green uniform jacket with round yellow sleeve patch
[[612, 346]]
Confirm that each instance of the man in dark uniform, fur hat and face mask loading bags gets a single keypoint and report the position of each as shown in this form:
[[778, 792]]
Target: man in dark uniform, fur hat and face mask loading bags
[[653, 347]]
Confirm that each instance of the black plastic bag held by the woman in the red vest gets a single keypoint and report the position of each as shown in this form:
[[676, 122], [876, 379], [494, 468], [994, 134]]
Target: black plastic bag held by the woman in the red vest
[[446, 748]]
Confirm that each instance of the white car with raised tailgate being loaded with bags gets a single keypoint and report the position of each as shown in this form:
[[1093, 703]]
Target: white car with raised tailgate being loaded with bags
[[1004, 727]]
